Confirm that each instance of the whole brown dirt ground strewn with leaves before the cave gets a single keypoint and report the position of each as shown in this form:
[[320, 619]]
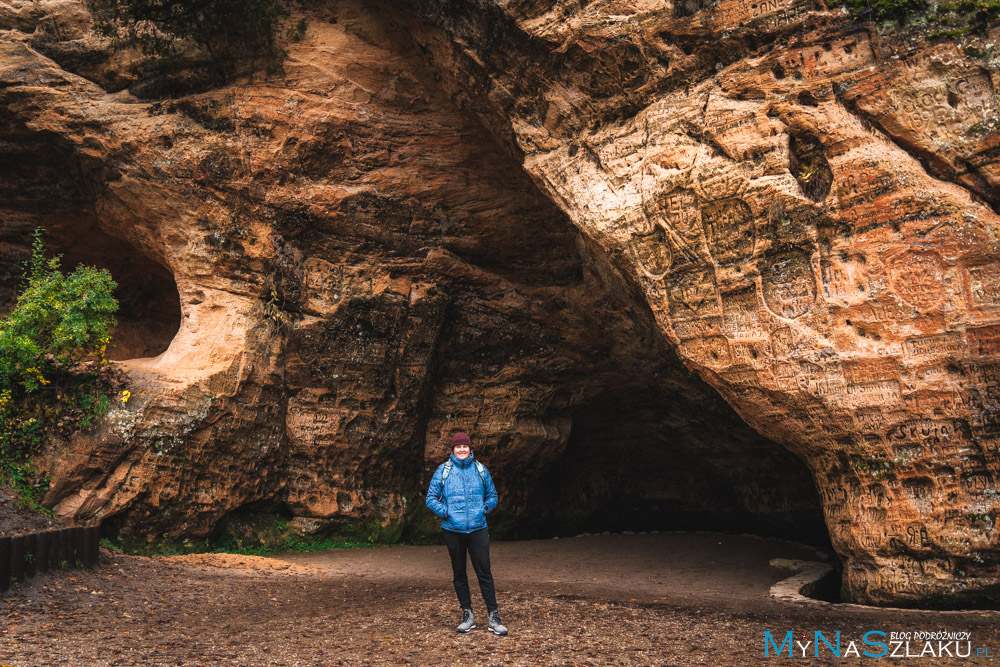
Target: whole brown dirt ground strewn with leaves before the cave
[[671, 599]]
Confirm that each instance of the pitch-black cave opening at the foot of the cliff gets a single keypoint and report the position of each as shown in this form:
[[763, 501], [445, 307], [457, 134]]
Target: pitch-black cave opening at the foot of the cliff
[[673, 461]]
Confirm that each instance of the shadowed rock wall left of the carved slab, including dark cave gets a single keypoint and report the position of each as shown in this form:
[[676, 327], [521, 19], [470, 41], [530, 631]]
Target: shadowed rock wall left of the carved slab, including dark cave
[[323, 275]]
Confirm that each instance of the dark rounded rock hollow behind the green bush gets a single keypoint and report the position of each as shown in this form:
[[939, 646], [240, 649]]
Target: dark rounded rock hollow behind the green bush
[[45, 182]]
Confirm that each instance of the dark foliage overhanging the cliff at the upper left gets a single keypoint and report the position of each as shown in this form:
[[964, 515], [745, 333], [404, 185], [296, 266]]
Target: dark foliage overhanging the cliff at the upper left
[[235, 33]]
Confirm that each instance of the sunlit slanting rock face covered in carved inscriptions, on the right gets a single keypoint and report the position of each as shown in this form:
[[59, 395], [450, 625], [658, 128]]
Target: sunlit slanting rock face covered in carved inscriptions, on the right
[[809, 204]]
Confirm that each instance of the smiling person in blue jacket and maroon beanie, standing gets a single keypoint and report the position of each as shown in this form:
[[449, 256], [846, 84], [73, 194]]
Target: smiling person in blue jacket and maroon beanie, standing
[[461, 493]]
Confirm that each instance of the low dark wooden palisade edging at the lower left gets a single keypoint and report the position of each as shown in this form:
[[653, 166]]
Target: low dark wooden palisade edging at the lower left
[[23, 556]]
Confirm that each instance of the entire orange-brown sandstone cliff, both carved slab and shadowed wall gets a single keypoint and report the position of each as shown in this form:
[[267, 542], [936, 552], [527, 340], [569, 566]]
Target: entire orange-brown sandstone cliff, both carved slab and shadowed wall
[[565, 229]]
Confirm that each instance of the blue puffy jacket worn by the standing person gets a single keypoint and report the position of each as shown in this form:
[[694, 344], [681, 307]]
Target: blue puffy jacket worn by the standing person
[[462, 500]]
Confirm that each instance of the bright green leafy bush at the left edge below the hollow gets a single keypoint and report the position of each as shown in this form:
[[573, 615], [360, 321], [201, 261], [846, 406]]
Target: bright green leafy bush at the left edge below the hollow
[[57, 322]]
